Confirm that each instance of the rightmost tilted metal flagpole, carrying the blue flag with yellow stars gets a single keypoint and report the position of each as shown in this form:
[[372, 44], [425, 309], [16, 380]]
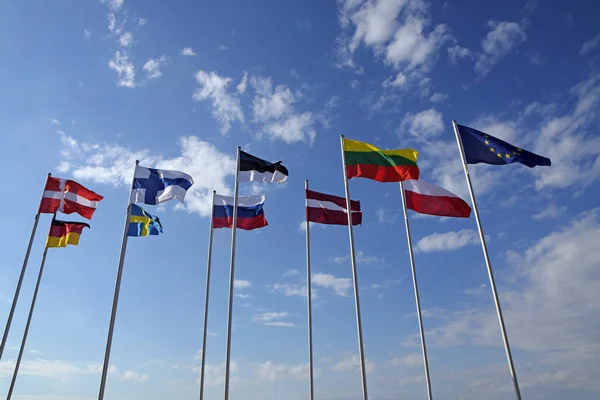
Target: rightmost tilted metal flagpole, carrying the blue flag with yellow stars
[[511, 365]]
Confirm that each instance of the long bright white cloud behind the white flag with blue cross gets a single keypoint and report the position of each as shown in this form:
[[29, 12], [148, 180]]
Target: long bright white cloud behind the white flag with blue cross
[[113, 164]]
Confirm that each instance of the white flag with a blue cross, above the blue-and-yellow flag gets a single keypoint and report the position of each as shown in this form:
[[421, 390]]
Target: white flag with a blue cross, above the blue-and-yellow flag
[[155, 186]]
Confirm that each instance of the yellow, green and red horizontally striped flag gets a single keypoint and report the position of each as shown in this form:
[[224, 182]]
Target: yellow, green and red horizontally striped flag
[[367, 161]]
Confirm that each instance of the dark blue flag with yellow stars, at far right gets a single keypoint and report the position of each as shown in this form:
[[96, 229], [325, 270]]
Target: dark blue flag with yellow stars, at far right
[[480, 147]]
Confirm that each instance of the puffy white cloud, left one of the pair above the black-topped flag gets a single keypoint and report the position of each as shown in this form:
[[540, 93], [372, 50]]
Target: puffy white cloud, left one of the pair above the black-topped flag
[[226, 107]]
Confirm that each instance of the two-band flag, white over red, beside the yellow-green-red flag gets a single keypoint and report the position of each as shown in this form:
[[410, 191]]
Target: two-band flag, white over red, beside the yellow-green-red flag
[[427, 198]]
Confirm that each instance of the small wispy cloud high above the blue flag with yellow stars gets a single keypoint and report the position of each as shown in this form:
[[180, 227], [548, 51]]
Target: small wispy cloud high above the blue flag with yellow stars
[[502, 38]]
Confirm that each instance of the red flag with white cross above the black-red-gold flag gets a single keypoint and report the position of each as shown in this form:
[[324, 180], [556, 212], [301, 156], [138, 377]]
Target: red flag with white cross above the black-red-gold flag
[[68, 197]]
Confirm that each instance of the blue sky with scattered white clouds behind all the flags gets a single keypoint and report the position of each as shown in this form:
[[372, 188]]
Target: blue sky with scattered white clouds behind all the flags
[[89, 87]]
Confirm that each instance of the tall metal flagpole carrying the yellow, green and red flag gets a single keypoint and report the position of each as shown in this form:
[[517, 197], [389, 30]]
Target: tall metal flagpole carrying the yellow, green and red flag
[[361, 354]]
